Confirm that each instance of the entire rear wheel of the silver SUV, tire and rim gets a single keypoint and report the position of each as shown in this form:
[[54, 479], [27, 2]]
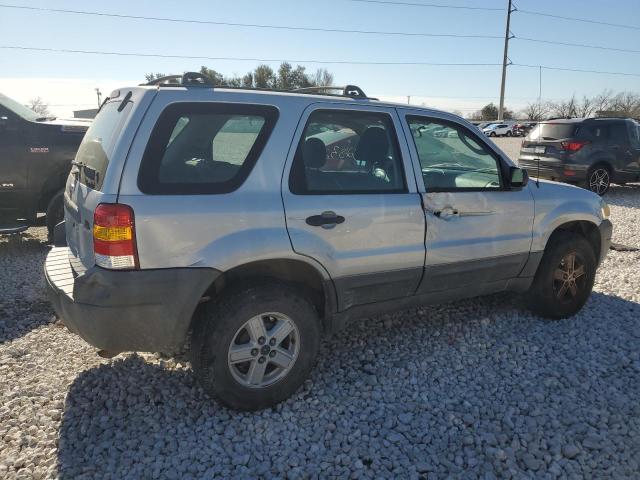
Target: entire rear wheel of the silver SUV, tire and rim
[[256, 346]]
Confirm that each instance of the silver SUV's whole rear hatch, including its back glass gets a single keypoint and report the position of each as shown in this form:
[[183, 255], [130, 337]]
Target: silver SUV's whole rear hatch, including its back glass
[[94, 175]]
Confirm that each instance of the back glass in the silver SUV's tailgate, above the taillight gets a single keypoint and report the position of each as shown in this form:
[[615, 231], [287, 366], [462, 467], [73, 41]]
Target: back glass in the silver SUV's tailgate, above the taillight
[[97, 144]]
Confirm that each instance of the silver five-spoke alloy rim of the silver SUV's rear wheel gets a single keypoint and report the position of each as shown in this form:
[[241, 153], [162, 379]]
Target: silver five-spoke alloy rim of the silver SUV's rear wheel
[[263, 350]]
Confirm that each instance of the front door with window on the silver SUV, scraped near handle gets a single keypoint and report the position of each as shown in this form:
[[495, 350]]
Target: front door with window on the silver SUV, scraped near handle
[[478, 230]]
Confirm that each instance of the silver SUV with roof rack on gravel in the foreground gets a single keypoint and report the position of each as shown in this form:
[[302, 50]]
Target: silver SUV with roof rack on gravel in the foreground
[[247, 224]]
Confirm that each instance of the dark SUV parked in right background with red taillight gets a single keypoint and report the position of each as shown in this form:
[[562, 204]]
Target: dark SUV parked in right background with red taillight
[[593, 152]]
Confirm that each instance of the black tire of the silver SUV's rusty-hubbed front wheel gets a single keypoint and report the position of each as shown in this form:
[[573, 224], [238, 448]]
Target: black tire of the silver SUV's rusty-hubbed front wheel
[[544, 297]]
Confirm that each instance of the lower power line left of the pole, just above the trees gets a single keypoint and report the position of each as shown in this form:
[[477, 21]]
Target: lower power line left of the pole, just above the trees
[[205, 57]]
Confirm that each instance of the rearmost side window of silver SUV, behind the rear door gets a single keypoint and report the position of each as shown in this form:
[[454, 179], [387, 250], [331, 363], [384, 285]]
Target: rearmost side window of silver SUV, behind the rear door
[[198, 148]]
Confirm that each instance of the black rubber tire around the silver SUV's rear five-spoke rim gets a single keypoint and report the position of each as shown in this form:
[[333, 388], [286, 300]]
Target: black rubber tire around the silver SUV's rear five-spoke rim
[[217, 326]]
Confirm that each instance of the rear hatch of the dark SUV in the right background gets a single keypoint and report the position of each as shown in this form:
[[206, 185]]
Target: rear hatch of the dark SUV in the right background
[[545, 142]]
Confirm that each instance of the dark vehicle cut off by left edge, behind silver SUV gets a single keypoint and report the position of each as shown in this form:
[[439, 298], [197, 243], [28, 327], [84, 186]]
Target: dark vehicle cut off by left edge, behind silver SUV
[[35, 159]]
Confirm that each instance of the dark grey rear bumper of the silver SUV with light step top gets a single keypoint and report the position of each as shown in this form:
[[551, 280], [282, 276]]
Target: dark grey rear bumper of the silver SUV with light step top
[[117, 311]]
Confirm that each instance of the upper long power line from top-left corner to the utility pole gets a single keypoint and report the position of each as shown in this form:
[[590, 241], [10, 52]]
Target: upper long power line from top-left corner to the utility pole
[[244, 25]]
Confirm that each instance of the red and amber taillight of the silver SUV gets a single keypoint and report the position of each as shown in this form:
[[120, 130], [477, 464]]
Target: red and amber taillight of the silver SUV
[[114, 237]]
